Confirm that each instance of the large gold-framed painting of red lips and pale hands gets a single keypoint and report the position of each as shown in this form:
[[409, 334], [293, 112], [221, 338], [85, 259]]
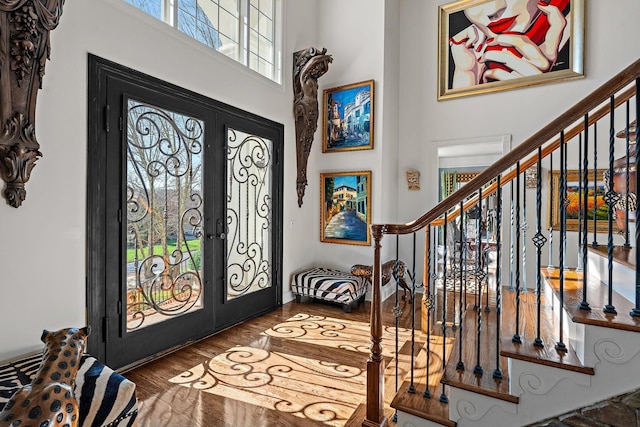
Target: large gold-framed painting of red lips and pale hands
[[484, 46]]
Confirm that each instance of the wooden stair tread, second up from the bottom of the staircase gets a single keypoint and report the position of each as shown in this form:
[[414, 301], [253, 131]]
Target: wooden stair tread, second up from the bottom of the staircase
[[483, 384]]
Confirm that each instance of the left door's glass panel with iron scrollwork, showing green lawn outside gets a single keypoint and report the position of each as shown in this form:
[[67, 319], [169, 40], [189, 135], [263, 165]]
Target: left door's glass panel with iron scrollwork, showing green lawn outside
[[163, 214]]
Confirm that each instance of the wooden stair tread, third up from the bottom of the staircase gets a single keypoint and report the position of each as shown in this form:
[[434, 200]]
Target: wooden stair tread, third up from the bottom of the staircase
[[546, 355]]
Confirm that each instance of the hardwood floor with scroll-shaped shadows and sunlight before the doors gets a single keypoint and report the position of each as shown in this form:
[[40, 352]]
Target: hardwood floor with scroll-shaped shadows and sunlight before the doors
[[301, 365]]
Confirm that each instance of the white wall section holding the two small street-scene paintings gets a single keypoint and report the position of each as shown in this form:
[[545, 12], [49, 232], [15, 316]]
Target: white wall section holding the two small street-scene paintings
[[362, 37]]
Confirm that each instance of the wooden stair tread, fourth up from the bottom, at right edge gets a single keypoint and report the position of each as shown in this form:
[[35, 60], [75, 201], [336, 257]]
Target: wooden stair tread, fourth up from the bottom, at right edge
[[597, 296]]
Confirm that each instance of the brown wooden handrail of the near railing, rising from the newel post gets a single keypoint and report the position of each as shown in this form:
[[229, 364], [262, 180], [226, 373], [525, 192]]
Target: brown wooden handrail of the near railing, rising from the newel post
[[538, 139]]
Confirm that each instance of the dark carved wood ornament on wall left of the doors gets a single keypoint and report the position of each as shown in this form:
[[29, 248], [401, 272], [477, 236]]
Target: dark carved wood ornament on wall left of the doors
[[24, 49]]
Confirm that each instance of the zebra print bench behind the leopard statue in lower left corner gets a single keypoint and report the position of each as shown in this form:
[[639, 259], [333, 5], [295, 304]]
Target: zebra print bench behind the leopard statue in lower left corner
[[105, 398]]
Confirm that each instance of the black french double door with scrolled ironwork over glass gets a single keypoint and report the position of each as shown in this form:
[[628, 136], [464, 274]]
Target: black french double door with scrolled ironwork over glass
[[184, 215]]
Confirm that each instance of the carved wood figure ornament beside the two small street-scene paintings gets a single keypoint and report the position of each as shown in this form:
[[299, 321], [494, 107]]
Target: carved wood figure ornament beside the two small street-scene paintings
[[308, 65]]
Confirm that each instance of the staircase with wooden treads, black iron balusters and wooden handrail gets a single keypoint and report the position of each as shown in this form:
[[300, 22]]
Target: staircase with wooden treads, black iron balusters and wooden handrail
[[514, 334]]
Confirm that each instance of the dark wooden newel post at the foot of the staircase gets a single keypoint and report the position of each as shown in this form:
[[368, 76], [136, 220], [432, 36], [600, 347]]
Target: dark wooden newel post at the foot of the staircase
[[375, 368]]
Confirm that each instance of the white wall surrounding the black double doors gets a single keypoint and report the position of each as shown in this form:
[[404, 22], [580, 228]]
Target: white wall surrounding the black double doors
[[42, 255]]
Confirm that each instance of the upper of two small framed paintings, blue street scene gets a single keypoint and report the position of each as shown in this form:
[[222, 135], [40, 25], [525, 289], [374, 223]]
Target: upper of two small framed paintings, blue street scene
[[348, 118]]
